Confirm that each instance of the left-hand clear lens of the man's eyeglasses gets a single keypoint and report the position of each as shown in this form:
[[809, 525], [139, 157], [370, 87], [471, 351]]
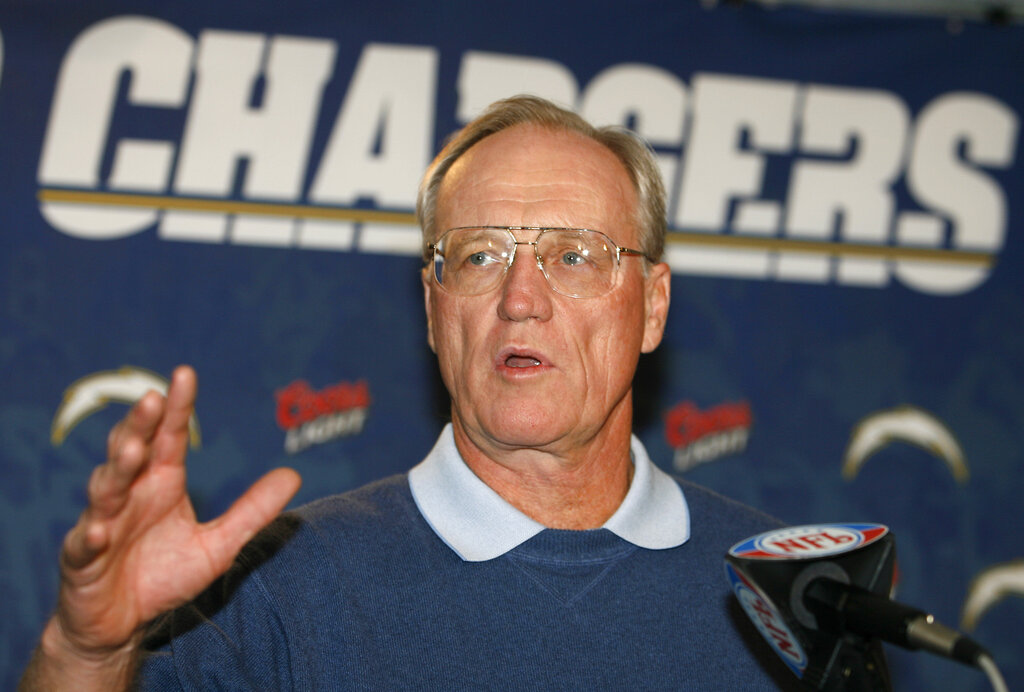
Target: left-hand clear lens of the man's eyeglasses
[[472, 262]]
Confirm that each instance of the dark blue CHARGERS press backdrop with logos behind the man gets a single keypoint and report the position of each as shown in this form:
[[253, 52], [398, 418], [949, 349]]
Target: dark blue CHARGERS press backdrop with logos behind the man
[[233, 187]]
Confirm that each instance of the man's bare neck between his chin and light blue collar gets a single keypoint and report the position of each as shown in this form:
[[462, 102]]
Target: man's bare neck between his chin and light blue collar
[[580, 489]]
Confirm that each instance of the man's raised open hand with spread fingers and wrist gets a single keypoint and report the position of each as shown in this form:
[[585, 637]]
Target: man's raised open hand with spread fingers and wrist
[[138, 550]]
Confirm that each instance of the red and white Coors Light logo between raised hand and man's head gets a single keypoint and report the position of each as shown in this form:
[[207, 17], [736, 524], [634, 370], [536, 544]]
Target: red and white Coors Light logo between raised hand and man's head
[[310, 417]]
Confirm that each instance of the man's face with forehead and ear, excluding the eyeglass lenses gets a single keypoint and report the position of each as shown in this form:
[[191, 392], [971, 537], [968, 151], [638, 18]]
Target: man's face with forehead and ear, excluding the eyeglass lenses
[[527, 367]]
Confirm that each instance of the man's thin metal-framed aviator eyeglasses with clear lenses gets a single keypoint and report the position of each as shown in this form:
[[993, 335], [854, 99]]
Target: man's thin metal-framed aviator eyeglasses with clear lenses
[[577, 263]]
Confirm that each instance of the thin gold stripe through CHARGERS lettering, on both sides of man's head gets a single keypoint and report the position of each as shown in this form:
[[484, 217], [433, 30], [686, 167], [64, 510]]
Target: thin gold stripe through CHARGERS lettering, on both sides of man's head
[[718, 241]]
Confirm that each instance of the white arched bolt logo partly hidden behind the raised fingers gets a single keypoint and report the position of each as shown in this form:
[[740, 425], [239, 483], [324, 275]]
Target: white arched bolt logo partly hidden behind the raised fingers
[[95, 393]]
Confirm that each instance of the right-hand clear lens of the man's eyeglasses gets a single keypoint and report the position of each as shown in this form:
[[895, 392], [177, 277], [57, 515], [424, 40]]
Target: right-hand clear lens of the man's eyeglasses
[[578, 264]]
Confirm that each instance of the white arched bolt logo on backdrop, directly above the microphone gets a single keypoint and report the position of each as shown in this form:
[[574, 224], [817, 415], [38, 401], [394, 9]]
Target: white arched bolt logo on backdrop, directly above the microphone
[[904, 424]]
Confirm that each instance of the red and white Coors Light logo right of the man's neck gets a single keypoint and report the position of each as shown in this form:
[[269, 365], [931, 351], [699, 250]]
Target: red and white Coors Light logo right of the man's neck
[[699, 438]]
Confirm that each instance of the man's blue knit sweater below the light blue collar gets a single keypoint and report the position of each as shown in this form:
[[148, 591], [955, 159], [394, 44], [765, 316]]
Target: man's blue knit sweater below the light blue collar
[[358, 592]]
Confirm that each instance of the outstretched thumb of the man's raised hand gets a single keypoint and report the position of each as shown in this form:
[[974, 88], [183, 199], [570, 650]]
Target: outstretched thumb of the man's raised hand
[[254, 510]]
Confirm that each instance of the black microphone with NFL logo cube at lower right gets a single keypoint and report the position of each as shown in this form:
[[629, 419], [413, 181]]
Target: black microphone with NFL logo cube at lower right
[[821, 596]]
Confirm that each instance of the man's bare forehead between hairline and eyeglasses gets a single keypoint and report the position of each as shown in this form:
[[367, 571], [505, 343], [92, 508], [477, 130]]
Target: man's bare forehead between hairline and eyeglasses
[[534, 177]]
